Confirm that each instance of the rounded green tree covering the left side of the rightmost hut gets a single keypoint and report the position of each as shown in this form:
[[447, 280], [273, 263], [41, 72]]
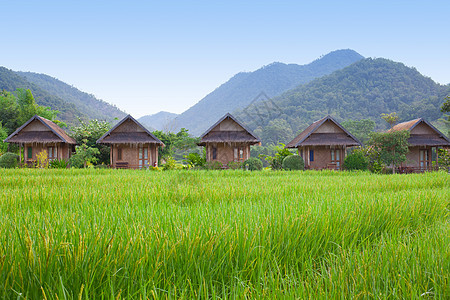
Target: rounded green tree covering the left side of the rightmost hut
[[392, 146]]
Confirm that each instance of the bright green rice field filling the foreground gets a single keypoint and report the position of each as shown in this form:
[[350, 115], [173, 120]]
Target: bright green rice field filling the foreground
[[89, 234]]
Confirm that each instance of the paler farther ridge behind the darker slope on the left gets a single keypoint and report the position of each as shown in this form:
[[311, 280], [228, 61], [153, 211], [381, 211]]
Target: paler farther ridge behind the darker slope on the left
[[87, 104]]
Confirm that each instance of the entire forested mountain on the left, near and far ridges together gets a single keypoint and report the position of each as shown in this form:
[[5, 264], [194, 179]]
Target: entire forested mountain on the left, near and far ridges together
[[69, 101]]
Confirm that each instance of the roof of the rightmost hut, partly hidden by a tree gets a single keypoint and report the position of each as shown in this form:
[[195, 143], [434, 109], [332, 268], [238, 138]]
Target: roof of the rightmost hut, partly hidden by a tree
[[434, 138]]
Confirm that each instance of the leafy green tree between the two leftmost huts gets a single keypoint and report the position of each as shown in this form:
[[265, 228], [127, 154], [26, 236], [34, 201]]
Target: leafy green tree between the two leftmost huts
[[89, 133]]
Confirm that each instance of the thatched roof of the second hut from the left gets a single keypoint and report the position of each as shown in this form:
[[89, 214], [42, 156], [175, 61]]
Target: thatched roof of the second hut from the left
[[136, 134]]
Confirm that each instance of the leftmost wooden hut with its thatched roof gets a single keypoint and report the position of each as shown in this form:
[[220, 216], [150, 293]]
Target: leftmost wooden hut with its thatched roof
[[39, 134]]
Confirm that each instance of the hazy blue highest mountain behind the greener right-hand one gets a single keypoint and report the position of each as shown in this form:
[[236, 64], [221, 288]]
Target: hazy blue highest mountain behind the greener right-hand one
[[243, 88]]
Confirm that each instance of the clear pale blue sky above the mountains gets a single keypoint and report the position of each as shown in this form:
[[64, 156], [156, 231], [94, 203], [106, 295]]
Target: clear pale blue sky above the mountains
[[148, 56]]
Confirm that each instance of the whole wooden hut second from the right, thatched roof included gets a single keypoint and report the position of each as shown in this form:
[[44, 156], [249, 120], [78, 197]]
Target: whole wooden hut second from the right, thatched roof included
[[323, 144]]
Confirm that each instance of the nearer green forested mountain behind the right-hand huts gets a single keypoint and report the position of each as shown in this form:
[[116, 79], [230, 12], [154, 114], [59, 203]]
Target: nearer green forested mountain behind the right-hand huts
[[365, 89]]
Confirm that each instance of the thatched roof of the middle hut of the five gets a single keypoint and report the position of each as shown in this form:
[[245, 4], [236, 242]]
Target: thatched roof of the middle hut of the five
[[216, 135]]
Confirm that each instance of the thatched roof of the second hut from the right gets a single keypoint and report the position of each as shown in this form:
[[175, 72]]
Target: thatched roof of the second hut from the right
[[309, 137]]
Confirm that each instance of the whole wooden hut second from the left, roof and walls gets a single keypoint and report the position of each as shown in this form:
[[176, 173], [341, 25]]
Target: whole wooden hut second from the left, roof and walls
[[132, 145]]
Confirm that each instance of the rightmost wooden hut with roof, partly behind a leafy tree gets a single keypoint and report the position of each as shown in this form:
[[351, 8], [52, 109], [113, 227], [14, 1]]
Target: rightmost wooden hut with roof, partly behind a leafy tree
[[424, 140]]
